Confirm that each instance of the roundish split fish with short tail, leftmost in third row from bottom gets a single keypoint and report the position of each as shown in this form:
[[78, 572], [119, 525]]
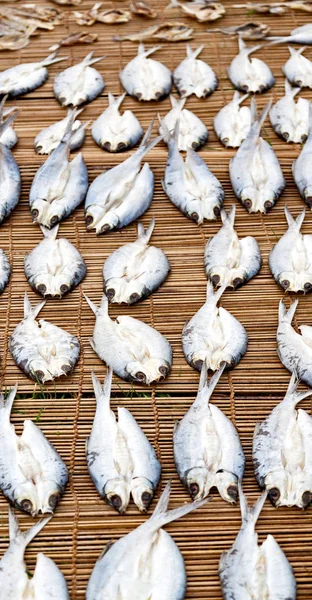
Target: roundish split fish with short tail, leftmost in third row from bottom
[[41, 350]]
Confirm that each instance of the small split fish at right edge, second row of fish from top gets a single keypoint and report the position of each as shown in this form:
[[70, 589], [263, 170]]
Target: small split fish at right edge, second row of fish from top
[[290, 119]]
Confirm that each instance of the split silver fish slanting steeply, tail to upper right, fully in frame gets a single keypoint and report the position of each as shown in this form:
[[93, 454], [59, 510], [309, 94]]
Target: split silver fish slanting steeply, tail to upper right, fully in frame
[[122, 194]]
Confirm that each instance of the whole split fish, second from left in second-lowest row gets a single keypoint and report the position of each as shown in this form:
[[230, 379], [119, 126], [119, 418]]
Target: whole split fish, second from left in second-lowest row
[[121, 460]]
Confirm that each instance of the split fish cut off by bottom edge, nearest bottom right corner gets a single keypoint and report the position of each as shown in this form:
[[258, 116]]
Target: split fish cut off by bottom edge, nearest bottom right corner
[[249, 570]]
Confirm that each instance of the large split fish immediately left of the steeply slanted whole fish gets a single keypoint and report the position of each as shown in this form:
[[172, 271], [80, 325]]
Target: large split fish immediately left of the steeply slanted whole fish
[[59, 186]]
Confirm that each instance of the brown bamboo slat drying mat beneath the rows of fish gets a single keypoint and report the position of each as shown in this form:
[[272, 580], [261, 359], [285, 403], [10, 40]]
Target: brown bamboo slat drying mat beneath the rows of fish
[[84, 523]]
